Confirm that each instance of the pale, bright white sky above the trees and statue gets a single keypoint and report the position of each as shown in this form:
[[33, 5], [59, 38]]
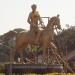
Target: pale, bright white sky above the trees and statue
[[14, 13]]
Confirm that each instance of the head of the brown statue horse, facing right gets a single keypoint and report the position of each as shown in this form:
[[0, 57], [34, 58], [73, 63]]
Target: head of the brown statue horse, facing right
[[55, 22]]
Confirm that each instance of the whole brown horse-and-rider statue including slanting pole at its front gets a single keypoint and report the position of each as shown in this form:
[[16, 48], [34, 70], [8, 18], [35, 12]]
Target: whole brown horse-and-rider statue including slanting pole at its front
[[44, 38]]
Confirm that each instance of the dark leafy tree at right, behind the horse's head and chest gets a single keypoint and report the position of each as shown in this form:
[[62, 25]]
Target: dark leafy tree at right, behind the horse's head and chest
[[66, 40]]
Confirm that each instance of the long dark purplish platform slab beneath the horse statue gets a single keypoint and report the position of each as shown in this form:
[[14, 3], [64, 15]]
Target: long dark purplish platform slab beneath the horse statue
[[32, 68]]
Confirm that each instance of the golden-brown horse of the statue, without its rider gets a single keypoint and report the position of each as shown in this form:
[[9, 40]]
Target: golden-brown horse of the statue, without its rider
[[45, 41]]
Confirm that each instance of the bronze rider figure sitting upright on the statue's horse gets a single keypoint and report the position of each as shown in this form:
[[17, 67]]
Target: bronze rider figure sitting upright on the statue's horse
[[33, 20]]
